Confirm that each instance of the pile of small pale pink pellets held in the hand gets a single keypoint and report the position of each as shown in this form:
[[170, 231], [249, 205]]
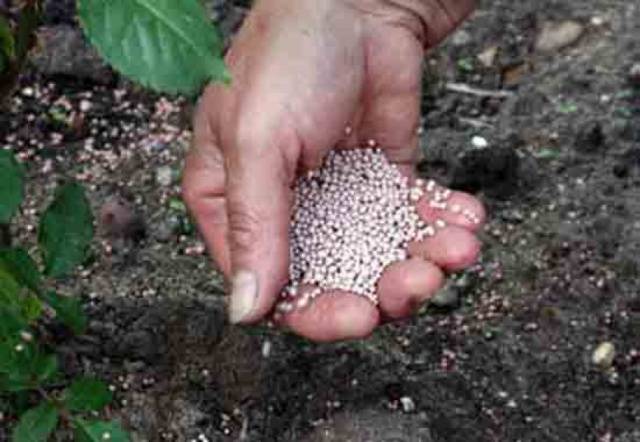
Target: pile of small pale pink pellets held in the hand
[[351, 219]]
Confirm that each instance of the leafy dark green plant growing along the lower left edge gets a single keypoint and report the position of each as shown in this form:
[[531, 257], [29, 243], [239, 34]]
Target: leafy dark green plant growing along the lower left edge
[[31, 384]]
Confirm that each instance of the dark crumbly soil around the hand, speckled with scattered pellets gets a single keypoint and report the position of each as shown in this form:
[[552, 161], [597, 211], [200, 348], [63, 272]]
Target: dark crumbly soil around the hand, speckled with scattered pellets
[[508, 358]]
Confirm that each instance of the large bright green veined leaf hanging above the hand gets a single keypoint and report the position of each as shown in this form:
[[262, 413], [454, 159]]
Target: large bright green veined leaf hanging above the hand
[[154, 41]]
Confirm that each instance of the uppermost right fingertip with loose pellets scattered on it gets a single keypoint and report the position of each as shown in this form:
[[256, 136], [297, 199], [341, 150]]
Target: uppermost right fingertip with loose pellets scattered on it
[[459, 209]]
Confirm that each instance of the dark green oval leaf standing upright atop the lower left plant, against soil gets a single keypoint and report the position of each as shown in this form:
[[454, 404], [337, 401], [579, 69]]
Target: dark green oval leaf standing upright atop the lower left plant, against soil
[[66, 230]]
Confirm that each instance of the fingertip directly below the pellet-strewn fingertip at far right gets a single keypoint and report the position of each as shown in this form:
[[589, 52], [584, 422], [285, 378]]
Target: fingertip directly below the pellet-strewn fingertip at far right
[[452, 248]]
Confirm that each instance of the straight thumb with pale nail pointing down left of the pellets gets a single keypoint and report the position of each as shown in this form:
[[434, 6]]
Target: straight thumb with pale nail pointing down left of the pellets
[[258, 208]]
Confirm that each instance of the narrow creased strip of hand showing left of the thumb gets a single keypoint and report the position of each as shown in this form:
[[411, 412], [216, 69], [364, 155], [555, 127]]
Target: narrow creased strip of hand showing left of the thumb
[[203, 190]]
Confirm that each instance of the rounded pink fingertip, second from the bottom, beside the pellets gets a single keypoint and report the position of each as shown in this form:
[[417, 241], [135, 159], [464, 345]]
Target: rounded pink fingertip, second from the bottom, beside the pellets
[[406, 285]]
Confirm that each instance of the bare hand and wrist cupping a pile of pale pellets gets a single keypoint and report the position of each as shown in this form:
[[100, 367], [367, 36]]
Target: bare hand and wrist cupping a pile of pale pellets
[[302, 71]]
